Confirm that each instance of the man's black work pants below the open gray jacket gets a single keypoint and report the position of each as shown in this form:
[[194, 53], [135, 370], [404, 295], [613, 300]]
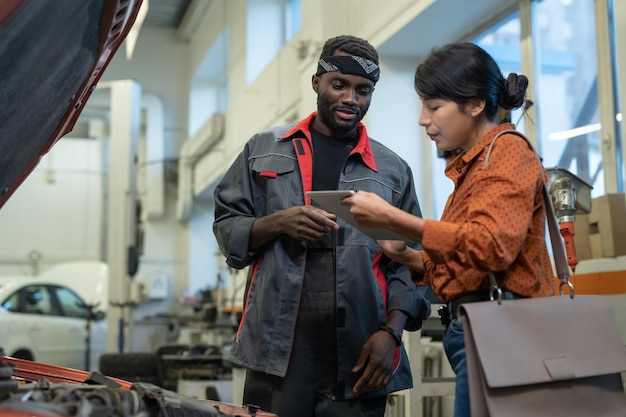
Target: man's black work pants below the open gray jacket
[[308, 388]]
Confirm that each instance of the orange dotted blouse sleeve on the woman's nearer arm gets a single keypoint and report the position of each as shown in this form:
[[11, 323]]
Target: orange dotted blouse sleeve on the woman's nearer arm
[[500, 200]]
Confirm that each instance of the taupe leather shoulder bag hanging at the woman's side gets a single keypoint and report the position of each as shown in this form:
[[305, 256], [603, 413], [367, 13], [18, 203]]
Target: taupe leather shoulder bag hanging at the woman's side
[[548, 356]]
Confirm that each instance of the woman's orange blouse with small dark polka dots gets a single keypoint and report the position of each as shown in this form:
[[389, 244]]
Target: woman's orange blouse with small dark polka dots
[[494, 220]]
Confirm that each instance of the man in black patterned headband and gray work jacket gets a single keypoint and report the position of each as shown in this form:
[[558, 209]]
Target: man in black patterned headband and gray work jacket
[[324, 309]]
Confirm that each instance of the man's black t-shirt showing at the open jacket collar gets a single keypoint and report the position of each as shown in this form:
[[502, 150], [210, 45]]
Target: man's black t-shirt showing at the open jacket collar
[[329, 158]]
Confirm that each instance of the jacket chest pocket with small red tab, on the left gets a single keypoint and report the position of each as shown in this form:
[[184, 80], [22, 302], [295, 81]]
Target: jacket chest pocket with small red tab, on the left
[[274, 176]]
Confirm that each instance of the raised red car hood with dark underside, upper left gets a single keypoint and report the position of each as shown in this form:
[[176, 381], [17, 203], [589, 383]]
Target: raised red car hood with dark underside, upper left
[[52, 54]]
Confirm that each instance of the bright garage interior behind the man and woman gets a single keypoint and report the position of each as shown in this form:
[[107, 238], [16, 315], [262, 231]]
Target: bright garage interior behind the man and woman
[[121, 209]]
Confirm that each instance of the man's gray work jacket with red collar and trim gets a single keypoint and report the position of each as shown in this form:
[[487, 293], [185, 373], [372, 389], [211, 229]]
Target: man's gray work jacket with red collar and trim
[[272, 173]]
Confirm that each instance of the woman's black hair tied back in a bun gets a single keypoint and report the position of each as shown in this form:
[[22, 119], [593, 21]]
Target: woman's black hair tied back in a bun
[[464, 71]]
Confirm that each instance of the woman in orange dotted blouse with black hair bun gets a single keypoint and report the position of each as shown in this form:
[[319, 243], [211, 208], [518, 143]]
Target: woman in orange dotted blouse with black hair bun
[[494, 220]]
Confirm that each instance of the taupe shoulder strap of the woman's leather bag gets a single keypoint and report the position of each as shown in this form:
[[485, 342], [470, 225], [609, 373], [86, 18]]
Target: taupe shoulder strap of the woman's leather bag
[[558, 248]]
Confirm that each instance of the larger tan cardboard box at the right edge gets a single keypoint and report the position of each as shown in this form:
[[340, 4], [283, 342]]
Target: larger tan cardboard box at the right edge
[[607, 226]]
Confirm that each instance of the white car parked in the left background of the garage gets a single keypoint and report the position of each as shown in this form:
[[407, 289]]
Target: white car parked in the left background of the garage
[[44, 318]]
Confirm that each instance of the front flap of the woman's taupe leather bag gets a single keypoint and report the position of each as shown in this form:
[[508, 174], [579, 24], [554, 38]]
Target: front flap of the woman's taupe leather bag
[[538, 340]]
